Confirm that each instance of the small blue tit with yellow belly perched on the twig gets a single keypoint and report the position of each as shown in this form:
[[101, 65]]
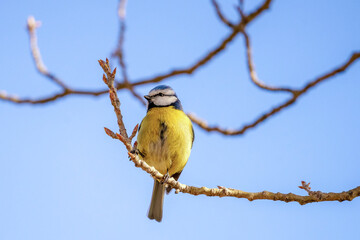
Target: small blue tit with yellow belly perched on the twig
[[164, 140]]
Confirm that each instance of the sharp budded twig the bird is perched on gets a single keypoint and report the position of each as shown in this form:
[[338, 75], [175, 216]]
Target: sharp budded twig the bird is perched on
[[220, 191]]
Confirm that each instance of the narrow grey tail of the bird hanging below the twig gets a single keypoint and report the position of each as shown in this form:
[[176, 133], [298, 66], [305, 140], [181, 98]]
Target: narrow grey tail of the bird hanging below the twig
[[157, 200]]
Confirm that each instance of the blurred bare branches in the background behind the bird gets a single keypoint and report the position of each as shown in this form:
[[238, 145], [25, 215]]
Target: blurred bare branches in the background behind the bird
[[236, 29]]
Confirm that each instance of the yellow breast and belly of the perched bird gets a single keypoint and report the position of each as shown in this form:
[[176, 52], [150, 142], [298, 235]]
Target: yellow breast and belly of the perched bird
[[165, 139]]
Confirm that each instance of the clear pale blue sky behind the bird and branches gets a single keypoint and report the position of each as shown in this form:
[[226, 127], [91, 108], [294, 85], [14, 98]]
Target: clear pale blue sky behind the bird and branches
[[62, 177]]
